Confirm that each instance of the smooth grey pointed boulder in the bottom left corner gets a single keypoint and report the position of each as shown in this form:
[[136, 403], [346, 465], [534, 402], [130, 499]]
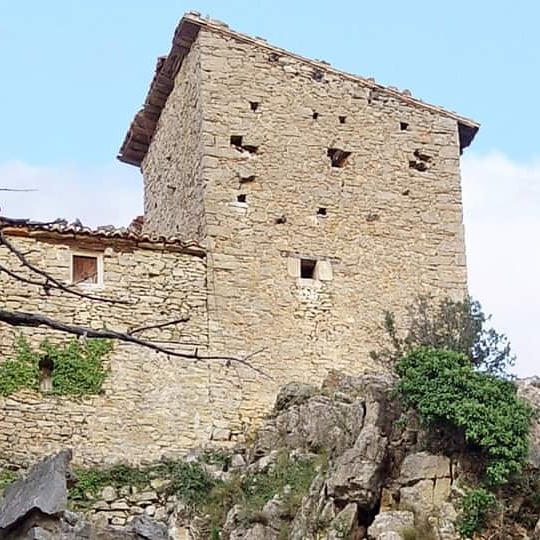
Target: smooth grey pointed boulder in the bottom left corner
[[43, 490]]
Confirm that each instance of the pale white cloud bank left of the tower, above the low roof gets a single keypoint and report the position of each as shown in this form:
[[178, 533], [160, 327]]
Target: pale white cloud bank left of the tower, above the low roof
[[111, 194]]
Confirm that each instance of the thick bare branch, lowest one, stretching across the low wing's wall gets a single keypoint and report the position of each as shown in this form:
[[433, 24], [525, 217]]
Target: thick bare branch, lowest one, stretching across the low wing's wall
[[33, 320]]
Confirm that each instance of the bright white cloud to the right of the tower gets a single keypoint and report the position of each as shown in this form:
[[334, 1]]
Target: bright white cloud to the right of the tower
[[501, 201]]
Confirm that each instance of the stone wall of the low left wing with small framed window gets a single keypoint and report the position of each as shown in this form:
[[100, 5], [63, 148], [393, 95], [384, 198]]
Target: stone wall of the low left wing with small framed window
[[152, 404]]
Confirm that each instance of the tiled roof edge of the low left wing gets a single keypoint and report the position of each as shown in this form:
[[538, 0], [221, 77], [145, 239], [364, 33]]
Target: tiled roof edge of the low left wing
[[60, 228]]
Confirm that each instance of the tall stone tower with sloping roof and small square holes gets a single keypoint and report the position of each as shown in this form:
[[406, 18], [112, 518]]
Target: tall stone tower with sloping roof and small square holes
[[323, 198]]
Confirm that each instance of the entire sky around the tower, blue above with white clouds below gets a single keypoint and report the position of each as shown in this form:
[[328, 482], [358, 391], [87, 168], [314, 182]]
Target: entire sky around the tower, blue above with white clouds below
[[74, 73]]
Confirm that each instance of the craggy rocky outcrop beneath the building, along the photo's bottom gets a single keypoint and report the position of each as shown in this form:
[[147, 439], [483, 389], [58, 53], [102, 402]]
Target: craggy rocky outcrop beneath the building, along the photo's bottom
[[370, 477]]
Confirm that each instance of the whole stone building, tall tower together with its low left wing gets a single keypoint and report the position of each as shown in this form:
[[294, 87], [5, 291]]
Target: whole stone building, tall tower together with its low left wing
[[287, 205]]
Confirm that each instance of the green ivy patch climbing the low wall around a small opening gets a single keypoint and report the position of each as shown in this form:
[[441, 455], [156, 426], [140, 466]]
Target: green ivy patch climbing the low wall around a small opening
[[77, 367]]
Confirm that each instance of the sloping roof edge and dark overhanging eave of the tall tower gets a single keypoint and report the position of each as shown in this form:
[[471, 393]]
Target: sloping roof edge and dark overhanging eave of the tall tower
[[143, 126]]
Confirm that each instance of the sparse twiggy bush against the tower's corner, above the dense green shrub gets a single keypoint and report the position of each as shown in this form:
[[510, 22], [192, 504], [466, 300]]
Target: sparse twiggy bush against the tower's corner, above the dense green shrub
[[458, 326]]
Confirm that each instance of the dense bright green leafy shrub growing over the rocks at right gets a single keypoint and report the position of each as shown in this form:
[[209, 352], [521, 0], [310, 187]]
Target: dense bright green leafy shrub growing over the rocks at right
[[446, 391]]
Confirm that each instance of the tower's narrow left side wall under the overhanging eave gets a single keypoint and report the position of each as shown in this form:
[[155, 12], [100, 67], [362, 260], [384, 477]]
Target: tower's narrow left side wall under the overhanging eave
[[173, 186]]
